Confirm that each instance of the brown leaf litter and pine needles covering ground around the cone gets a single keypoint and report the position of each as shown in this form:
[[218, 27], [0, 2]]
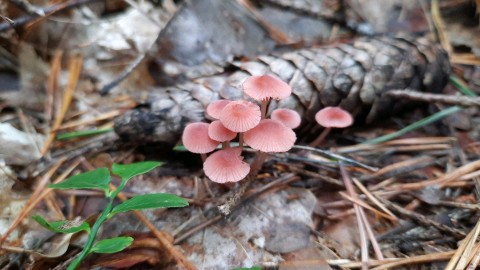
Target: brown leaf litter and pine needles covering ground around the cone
[[419, 205]]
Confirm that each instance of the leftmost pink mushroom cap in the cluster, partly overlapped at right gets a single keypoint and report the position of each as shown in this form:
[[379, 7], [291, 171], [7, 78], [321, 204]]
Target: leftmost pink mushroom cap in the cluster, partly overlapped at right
[[195, 138]]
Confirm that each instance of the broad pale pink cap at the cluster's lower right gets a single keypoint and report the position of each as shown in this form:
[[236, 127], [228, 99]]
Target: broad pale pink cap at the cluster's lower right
[[270, 136]]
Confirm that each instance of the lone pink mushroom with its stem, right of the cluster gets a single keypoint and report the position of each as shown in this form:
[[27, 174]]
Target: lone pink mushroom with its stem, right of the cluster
[[331, 117]]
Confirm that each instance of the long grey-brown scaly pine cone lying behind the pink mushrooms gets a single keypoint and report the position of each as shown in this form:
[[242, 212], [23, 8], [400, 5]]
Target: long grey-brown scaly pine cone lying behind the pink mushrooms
[[353, 76]]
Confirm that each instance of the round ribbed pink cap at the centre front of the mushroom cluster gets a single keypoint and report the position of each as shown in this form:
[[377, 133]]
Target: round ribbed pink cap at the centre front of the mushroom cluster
[[240, 115]]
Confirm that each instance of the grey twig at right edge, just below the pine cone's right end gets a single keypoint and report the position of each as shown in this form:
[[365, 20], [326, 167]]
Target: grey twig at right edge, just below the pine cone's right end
[[428, 97]]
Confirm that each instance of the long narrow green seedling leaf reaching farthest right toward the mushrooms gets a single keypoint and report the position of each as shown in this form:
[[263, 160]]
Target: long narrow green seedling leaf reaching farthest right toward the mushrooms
[[149, 201]]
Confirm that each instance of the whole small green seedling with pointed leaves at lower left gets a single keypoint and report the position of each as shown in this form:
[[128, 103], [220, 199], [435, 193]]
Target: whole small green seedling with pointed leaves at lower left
[[100, 179]]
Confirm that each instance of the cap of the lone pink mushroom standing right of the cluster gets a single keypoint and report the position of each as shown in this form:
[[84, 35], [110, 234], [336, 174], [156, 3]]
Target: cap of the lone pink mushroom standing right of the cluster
[[334, 117]]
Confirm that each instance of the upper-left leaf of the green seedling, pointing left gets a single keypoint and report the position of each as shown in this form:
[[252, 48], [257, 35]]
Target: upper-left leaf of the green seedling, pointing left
[[99, 178]]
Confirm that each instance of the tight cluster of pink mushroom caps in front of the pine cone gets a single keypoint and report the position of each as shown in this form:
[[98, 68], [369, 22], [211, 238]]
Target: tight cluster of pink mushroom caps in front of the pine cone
[[246, 120]]
